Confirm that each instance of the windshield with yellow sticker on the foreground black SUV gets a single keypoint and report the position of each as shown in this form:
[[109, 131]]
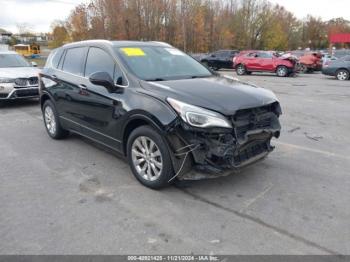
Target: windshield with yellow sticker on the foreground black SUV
[[153, 63]]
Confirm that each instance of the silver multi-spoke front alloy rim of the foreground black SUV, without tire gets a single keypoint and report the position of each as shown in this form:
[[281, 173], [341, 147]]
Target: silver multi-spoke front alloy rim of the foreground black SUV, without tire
[[147, 158]]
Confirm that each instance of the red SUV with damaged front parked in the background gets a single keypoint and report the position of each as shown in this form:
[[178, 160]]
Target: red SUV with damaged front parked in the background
[[264, 61]]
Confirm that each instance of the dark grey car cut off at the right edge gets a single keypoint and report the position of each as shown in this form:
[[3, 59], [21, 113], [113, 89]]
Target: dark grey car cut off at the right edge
[[339, 68]]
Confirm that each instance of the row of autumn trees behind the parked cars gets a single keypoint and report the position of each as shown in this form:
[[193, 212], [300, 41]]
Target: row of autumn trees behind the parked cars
[[197, 25]]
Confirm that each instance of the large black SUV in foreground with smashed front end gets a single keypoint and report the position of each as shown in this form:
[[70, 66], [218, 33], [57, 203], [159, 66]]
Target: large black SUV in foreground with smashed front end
[[168, 114]]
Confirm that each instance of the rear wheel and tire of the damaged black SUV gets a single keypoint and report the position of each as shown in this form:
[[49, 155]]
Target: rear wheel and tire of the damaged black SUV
[[51, 121]]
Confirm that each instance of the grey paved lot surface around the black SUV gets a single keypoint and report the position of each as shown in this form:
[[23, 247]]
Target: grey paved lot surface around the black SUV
[[73, 197]]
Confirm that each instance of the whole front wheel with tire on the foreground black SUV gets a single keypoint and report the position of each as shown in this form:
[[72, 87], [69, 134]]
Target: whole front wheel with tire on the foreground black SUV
[[149, 158]]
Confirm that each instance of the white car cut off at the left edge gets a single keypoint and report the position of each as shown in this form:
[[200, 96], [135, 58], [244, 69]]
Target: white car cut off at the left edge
[[18, 78]]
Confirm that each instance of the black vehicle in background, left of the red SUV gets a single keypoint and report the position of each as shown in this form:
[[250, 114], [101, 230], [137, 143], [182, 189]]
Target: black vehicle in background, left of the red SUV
[[219, 59]]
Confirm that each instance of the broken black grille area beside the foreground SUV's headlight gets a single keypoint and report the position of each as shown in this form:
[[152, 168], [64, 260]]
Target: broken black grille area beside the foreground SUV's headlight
[[254, 119]]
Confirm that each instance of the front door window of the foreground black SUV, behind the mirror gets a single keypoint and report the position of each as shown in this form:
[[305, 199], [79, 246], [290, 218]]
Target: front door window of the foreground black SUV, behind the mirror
[[99, 61]]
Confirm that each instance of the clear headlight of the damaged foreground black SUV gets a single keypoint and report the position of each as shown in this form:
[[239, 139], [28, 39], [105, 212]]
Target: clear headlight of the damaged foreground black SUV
[[197, 116]]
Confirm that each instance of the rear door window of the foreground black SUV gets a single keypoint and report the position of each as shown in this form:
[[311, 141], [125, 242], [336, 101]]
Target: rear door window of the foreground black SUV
[[74, 60]]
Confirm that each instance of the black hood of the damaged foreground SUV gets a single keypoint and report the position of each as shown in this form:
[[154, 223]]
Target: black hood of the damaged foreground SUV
[[221, 94]]
